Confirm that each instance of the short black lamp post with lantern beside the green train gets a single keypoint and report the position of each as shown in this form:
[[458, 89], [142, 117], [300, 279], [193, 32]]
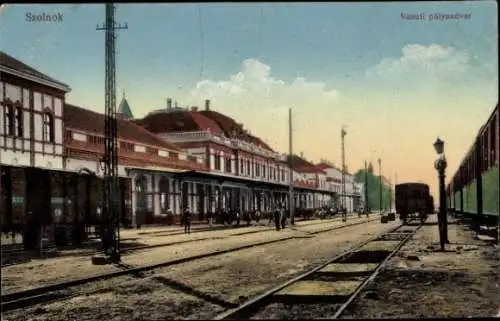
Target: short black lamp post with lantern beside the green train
[[440, 165]]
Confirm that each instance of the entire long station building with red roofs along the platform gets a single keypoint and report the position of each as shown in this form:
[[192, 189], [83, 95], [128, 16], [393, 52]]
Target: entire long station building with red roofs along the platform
[[51, 166]]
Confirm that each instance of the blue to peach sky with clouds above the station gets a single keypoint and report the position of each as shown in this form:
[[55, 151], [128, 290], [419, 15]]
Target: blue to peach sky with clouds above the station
[[396, 84]]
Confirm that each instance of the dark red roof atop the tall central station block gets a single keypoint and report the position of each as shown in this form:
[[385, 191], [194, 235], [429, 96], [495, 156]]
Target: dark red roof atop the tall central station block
[[177, 121]]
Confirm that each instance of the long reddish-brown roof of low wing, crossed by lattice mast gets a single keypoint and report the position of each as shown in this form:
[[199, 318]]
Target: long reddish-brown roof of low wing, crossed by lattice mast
[[86, 120]]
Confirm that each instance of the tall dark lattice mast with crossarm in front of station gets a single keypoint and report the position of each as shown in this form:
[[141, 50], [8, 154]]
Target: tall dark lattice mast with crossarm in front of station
[[111, 215]]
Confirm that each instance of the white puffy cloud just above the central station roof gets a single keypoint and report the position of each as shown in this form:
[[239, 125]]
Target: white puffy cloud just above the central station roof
[[255, 86]]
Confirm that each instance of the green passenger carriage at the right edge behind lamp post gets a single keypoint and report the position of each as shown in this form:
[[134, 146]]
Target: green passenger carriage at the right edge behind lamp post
[[474, 189]]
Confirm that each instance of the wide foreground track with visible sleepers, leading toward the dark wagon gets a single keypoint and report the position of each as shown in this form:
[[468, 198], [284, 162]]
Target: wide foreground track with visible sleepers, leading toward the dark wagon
[[327, 290]]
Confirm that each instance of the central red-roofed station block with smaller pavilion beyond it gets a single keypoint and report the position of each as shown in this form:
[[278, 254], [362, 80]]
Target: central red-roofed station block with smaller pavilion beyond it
[[255, 176]]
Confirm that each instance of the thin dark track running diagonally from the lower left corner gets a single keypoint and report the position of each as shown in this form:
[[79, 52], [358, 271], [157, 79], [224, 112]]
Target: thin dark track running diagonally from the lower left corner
[[63, 290]]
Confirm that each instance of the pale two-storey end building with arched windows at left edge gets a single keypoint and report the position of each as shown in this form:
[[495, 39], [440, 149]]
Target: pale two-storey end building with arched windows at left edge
[[31, 145]]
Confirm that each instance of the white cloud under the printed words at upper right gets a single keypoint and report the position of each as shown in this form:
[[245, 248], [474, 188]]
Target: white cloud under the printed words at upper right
[[433, 63]]
